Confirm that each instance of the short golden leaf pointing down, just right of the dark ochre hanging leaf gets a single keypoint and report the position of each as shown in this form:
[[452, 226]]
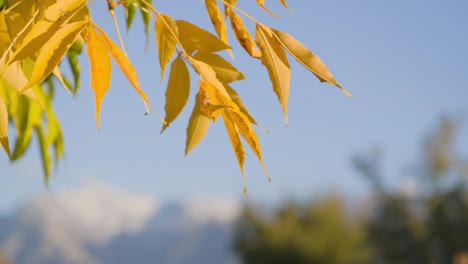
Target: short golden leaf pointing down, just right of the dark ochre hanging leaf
[[197, 127]]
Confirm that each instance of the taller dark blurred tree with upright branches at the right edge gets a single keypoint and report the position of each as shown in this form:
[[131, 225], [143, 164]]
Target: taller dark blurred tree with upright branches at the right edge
[[430, 226]]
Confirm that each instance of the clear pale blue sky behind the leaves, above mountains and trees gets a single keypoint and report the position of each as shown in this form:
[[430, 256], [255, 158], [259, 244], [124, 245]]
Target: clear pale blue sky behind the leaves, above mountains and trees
[[405, 62]]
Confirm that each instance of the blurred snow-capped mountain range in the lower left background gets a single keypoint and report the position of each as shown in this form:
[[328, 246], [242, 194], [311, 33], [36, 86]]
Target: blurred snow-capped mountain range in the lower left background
[[98, 224]]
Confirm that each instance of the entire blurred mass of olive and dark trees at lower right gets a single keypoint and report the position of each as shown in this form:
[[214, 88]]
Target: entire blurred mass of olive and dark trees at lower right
[[428, 226]]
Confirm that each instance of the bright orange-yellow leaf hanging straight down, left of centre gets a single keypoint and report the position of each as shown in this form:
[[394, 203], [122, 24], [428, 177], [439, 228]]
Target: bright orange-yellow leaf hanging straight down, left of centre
[[100, 67]]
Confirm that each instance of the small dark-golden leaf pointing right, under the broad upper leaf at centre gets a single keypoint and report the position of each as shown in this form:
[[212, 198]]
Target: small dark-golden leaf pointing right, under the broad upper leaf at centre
[[225, 72]]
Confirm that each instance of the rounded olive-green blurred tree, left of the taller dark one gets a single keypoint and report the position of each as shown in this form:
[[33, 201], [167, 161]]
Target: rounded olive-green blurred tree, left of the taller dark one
[[319, 232]]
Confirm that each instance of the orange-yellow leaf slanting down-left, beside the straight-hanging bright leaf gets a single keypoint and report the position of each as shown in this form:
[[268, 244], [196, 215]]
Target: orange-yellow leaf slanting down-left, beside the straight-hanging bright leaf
[[53, 51]]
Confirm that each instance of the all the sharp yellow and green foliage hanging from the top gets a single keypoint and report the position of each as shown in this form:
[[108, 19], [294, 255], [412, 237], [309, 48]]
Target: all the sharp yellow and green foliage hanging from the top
[[38, 38]]
